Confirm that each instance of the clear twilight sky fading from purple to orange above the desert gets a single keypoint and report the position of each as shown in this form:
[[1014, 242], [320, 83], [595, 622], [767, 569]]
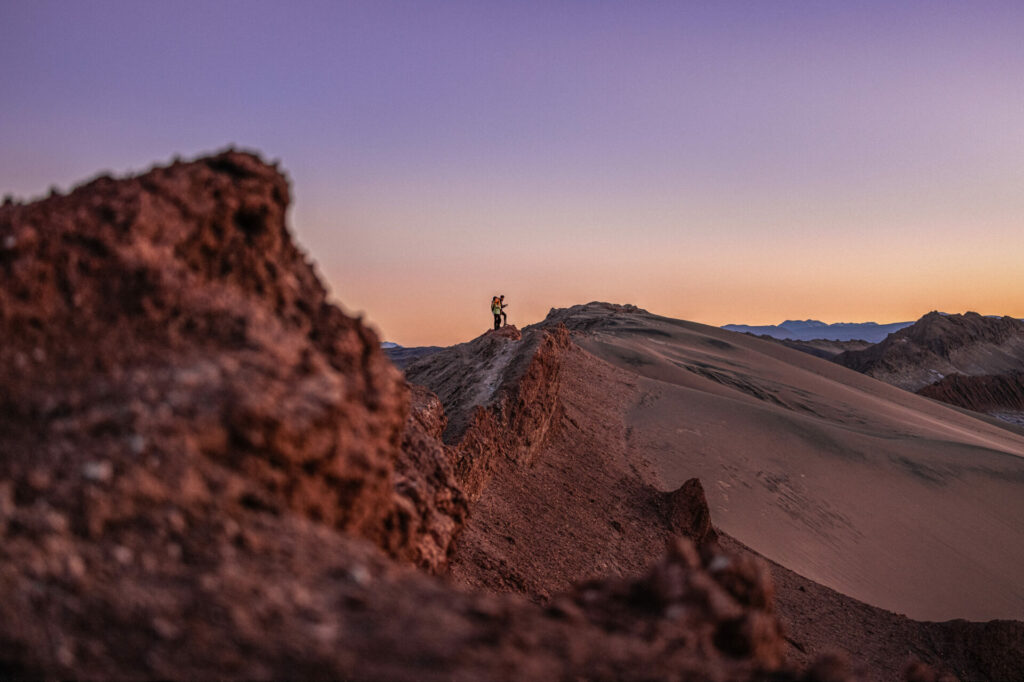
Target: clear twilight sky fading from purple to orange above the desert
[[720, 162]]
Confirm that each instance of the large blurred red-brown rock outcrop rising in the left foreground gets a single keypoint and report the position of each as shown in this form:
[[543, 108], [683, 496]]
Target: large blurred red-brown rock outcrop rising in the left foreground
[[163, 334]]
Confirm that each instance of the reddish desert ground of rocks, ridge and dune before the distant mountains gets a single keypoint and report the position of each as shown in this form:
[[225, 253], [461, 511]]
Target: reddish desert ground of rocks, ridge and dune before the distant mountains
[[208, 471]]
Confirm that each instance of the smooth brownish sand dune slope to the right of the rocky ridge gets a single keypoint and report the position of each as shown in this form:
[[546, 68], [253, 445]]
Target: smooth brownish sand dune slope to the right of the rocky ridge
[[879, 494]]
